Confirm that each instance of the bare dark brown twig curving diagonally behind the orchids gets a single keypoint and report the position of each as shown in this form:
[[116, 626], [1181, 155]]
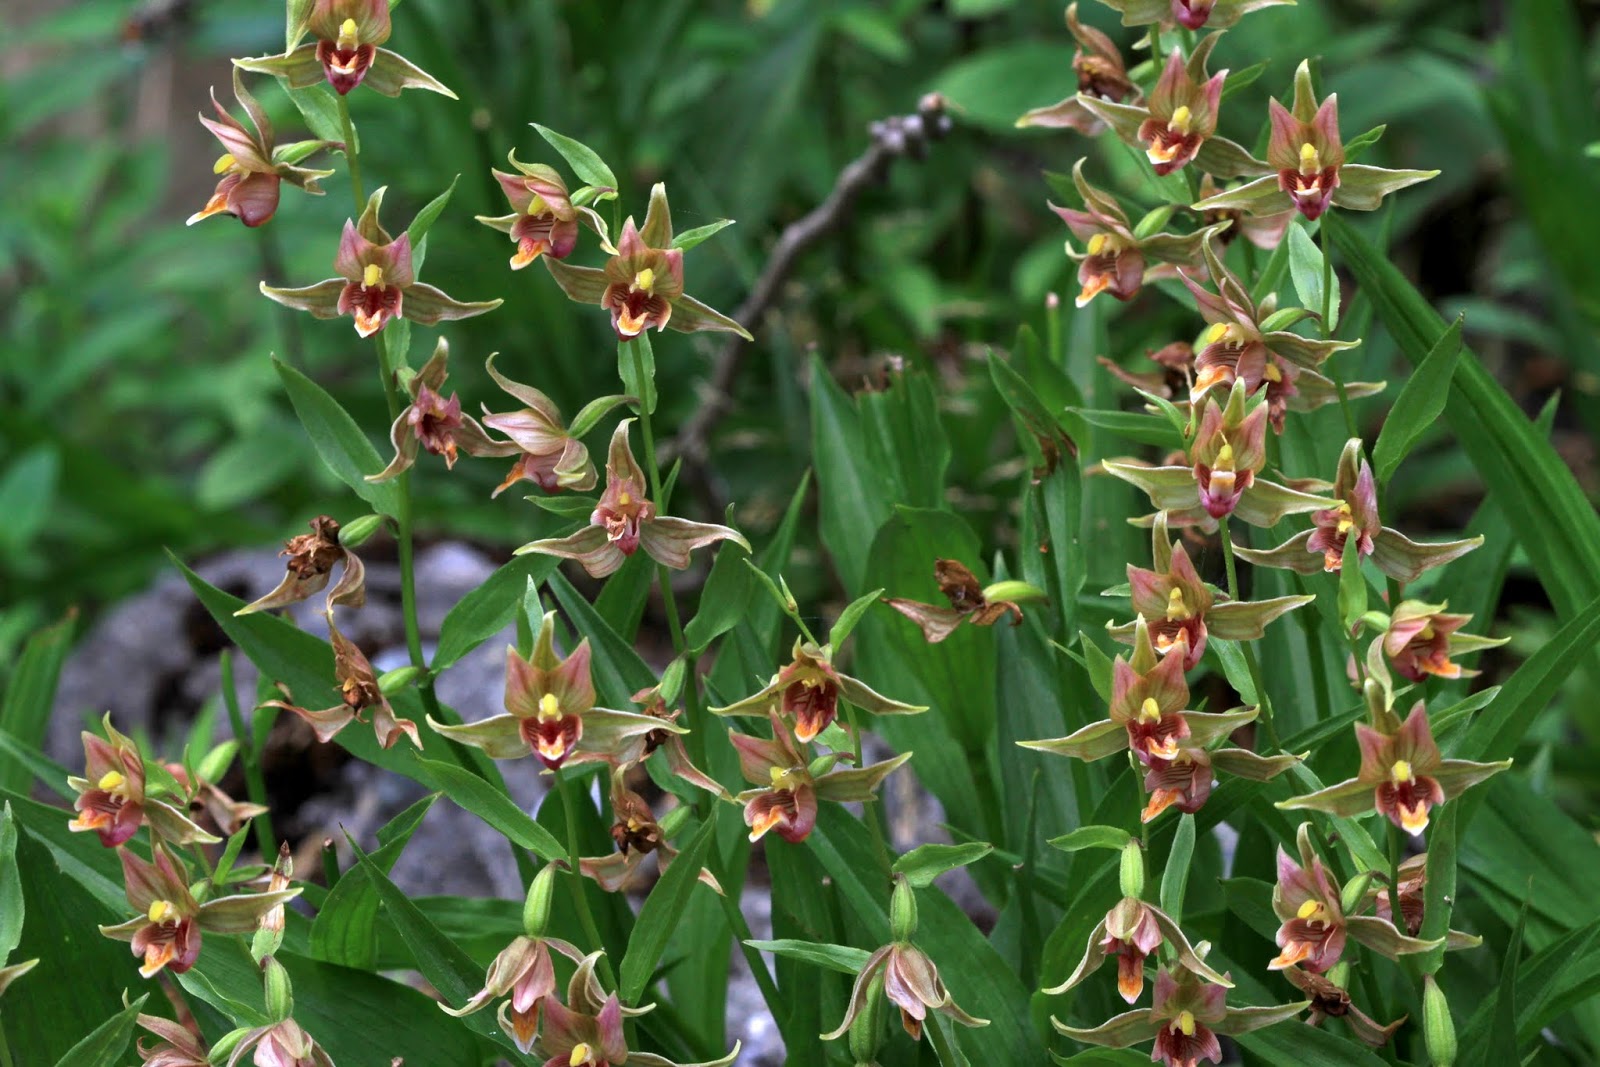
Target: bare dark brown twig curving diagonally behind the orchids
[[892, 138]]
